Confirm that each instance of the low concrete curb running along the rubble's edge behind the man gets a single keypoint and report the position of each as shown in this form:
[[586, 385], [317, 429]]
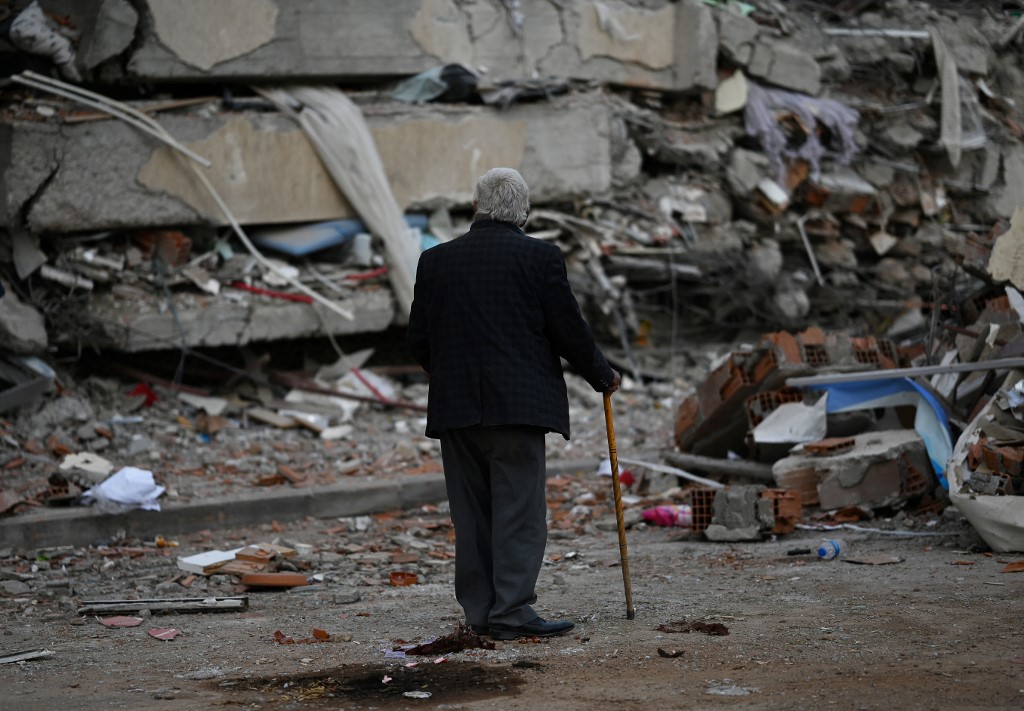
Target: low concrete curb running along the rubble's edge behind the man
[[82, 527]]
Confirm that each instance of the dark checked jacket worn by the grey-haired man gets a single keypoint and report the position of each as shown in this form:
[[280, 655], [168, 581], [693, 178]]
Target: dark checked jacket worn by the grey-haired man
[[492, 314]]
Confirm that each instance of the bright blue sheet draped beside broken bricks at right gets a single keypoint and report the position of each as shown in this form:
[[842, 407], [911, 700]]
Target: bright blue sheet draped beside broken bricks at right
[[931, 422]]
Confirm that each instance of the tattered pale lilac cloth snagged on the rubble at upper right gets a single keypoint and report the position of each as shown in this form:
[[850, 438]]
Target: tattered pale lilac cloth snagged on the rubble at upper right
[[761, 119]]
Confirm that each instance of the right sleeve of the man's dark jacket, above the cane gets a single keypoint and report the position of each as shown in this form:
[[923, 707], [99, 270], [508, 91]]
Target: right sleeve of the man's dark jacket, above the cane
[[567, 329]]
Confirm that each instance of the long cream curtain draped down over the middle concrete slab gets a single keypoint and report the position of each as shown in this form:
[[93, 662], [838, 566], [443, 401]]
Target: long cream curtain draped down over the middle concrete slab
[[339, 134]]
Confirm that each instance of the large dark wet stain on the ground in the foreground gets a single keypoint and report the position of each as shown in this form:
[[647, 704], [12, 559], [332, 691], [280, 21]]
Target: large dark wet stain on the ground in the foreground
[[364, 687]]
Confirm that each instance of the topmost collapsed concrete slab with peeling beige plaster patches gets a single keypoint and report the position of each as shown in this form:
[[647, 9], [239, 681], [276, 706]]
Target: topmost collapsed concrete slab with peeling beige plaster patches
[[655, 45]]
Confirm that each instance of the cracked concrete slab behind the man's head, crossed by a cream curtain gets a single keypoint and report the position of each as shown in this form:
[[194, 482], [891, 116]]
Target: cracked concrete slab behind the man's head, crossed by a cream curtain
[[106, 175]]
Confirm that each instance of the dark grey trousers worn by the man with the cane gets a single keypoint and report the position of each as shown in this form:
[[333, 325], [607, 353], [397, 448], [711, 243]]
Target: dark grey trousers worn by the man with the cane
[[495, 479]]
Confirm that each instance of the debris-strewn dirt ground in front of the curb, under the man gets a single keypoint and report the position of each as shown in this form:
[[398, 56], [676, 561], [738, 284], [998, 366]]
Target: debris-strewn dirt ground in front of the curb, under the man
[[937, 630]]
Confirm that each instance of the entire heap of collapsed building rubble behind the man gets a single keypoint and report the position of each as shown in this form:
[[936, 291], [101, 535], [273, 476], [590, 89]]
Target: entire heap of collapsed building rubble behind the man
[[844, 180]]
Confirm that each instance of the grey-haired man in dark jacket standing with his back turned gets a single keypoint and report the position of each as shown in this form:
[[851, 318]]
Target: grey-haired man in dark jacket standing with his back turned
[[493, 314]]
